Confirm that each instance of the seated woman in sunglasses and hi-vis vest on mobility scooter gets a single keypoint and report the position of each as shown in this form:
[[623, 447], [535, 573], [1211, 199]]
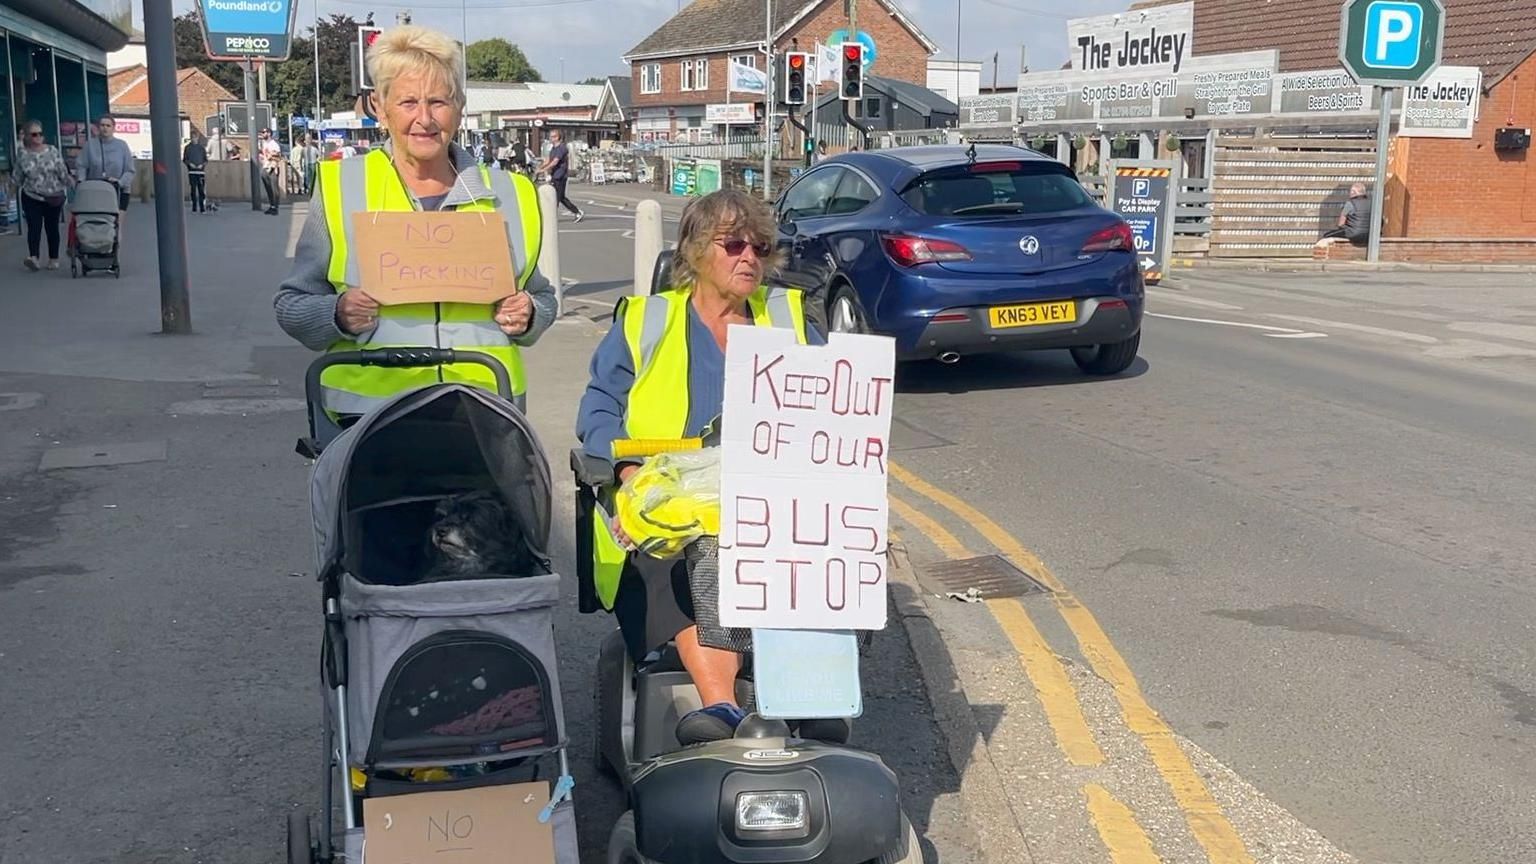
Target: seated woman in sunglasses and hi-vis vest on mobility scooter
[[661, 374]]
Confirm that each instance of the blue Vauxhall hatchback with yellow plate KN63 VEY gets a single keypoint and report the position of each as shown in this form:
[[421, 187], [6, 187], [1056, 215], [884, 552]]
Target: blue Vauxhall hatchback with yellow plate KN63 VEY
[[958, 251]]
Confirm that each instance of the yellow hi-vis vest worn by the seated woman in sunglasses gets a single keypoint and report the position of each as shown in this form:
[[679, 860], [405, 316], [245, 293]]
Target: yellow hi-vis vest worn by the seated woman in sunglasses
[[657, 331]]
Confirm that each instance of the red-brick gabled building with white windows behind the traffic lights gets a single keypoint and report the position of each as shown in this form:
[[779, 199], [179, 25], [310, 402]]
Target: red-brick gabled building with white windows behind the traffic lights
[[683, 65]]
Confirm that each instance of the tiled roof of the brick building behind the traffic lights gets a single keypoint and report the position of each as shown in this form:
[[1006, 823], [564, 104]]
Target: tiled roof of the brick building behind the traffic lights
[[721, 24]]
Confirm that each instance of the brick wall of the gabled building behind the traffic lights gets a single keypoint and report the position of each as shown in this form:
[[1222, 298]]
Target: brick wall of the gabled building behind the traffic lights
[[901, 56]]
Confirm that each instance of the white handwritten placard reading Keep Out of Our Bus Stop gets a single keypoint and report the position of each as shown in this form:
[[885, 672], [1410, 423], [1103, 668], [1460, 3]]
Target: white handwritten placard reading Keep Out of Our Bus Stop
[[804, 457]]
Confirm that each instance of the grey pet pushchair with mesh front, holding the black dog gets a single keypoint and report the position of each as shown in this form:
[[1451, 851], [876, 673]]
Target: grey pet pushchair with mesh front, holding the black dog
[[446, 685]]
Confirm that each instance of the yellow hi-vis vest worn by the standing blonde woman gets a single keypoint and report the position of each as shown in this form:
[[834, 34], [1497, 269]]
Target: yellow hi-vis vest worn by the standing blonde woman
[[372, 185]]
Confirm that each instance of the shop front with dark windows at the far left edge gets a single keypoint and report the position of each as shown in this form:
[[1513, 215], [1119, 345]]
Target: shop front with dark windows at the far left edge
[[53, 70]]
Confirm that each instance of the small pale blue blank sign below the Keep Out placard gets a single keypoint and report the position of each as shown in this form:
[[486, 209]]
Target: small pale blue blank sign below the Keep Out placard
[[807, 674]]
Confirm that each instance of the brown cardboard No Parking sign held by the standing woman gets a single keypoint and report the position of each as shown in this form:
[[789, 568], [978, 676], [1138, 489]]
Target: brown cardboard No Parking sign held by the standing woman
[[434, 258]]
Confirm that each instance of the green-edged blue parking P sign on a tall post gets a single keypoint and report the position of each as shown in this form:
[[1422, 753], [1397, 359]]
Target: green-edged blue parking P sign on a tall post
[[1391, 44]]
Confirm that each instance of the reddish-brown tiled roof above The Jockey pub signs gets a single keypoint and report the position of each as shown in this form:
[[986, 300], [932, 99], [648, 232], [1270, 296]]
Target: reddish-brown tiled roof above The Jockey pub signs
[[1494, 35]]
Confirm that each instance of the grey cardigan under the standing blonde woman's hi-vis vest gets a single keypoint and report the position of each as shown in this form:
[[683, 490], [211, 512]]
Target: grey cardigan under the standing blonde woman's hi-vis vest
[[306, 302]]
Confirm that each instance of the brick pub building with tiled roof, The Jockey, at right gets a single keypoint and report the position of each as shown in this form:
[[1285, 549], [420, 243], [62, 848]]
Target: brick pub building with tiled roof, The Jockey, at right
[[1448, 199]]
